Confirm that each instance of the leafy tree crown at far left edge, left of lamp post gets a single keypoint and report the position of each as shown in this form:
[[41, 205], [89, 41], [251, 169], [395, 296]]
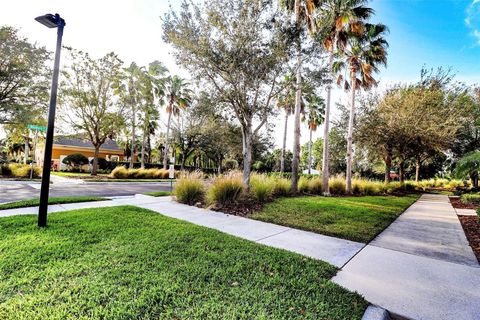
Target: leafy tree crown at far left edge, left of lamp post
[[24, 77]]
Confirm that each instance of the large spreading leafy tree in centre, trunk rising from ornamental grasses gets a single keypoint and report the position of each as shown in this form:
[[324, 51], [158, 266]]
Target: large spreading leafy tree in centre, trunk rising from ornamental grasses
[[235, 49]]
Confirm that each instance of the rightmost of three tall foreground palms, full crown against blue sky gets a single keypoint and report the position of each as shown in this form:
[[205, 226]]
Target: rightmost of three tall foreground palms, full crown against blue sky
[[363, 53]]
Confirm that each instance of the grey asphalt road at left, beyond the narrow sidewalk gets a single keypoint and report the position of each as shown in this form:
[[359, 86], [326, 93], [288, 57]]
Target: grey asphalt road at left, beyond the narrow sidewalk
[[22, 191]]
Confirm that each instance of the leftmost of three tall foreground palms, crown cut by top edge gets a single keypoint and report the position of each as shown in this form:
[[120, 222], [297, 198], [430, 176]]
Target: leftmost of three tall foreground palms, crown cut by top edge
[[305, 19]]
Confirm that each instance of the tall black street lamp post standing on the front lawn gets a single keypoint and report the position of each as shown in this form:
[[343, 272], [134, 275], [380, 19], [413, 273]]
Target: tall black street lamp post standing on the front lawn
[[50, 21]]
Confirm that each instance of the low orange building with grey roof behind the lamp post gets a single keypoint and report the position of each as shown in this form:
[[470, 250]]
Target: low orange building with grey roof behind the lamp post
[[67, 145]]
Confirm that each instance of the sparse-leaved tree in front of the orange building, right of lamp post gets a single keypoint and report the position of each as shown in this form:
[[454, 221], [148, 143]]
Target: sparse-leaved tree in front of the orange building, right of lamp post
[[89, 94]]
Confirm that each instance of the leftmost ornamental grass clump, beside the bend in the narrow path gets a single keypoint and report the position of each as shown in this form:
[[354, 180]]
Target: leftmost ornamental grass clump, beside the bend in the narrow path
[[190, 188]]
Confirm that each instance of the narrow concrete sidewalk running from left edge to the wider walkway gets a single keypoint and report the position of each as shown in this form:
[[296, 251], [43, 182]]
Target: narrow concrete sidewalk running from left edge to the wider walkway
[[333, 250]]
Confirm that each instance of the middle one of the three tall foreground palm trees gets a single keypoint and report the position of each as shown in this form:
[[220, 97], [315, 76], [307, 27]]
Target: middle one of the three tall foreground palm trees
[[338, 16]]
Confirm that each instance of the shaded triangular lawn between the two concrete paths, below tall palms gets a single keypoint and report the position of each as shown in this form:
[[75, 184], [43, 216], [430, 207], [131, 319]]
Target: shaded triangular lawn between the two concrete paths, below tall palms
[[353, 218]]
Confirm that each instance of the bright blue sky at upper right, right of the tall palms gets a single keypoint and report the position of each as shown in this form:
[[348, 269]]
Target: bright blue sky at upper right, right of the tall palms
[[431, 33]]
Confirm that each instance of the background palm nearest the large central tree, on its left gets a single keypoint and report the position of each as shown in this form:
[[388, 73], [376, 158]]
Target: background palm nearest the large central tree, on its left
[[178, 97]]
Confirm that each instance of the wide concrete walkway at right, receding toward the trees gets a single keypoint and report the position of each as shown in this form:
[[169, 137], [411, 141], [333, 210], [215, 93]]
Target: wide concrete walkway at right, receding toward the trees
[[421, 267]]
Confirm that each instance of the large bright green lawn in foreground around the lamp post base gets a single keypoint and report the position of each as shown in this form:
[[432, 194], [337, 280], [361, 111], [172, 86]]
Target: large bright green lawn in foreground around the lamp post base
[[131, 263]]
